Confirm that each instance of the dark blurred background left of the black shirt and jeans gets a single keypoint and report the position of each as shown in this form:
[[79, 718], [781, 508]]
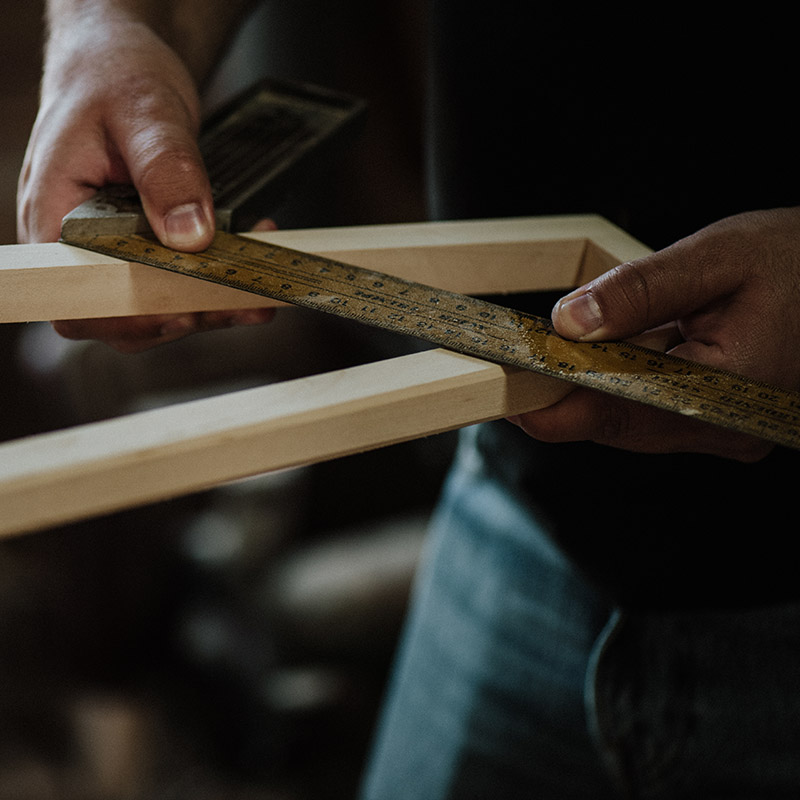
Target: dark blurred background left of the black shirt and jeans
[[234, 643]]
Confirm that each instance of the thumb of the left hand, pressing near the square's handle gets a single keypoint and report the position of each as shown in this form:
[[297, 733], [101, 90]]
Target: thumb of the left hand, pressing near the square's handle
[[165, 166]]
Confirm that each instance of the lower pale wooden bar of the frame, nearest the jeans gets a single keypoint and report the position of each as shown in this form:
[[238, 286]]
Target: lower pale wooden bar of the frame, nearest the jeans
[[154, 455]]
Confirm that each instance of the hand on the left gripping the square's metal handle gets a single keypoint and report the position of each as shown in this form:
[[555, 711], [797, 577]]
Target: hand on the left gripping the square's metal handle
[[118, 105]]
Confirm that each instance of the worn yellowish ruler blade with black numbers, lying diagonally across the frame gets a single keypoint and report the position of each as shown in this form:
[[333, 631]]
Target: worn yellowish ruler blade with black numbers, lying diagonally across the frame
[[476, 327]]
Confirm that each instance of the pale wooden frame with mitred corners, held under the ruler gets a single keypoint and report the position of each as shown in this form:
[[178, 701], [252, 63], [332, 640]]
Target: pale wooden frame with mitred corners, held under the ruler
[[98, 468]]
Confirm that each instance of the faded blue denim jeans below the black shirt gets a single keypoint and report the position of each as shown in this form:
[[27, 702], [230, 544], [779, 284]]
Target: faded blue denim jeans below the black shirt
[[515, 678]]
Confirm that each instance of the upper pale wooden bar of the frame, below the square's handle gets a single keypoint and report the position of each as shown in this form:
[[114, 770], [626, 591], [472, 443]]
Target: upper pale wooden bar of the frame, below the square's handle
[[55, 281]]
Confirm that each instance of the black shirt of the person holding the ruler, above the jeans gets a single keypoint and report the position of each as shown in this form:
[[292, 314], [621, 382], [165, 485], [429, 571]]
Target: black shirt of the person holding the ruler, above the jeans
[[662, 127]]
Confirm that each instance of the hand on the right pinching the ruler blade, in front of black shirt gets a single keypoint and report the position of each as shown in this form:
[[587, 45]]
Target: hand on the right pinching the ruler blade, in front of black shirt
[[732, 293]]
